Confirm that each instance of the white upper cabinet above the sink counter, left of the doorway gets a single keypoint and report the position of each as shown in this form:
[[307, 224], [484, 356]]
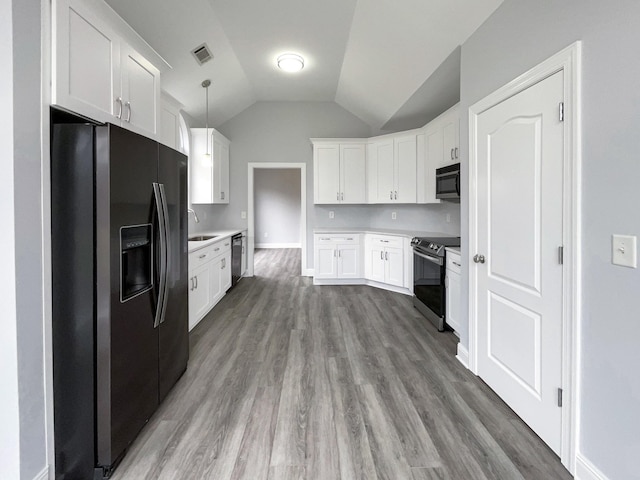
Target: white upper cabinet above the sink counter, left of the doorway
[[209, 167]]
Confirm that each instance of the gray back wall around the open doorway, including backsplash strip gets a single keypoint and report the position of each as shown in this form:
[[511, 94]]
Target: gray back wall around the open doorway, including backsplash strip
[[280, 132]]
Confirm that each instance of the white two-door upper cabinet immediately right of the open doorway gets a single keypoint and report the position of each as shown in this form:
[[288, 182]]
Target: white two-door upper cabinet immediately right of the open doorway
[[339, 172]]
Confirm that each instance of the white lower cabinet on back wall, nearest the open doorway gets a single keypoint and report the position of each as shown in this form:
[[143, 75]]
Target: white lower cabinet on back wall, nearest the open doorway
[[337, 256]]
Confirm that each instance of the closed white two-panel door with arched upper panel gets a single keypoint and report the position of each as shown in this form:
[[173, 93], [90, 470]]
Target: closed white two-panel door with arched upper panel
[[519, 285]]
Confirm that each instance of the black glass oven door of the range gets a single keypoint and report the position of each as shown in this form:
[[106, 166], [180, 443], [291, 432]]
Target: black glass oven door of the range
[[428, 286]]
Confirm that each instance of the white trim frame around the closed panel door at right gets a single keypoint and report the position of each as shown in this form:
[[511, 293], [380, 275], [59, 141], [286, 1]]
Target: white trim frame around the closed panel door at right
[[568, 61]]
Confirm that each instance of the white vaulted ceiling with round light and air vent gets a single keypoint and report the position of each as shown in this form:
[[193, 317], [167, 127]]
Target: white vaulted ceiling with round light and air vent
[[369, 56]]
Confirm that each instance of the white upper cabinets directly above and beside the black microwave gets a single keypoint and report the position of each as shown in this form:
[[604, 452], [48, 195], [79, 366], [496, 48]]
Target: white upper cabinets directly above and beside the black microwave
[[441, 147]]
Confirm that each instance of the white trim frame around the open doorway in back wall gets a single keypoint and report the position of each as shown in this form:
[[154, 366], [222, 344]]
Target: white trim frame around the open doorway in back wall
[[303, 210]]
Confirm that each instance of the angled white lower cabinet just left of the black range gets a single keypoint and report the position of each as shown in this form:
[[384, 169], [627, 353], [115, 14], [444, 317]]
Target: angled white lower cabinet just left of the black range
[[385, 259]]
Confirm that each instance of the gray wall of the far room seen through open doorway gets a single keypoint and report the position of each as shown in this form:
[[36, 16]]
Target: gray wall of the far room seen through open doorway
[[277, 205]]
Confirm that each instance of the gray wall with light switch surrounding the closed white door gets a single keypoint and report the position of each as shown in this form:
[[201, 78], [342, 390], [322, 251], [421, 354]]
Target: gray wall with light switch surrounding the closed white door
[[518, 36]]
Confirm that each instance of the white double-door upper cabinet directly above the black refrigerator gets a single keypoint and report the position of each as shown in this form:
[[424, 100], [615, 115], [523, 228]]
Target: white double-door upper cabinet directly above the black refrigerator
[[97, 74]]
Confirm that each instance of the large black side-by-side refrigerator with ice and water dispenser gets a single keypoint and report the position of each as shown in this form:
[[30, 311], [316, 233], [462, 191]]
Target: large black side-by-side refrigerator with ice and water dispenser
[[119, 288]]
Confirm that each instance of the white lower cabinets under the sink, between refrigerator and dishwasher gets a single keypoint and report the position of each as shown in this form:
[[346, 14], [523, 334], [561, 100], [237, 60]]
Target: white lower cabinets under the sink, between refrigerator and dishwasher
[[209, 278]]
